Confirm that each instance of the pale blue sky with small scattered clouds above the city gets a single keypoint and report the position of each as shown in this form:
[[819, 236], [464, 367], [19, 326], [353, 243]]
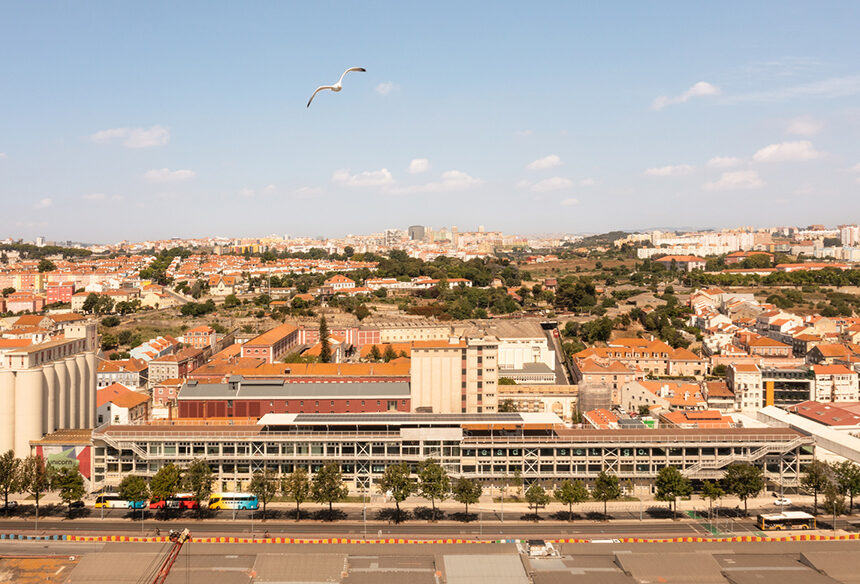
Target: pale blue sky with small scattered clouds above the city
[[151, 120]]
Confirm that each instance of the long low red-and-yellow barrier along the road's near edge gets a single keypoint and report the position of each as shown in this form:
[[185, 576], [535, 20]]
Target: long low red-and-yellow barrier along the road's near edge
[[289, 540]]
